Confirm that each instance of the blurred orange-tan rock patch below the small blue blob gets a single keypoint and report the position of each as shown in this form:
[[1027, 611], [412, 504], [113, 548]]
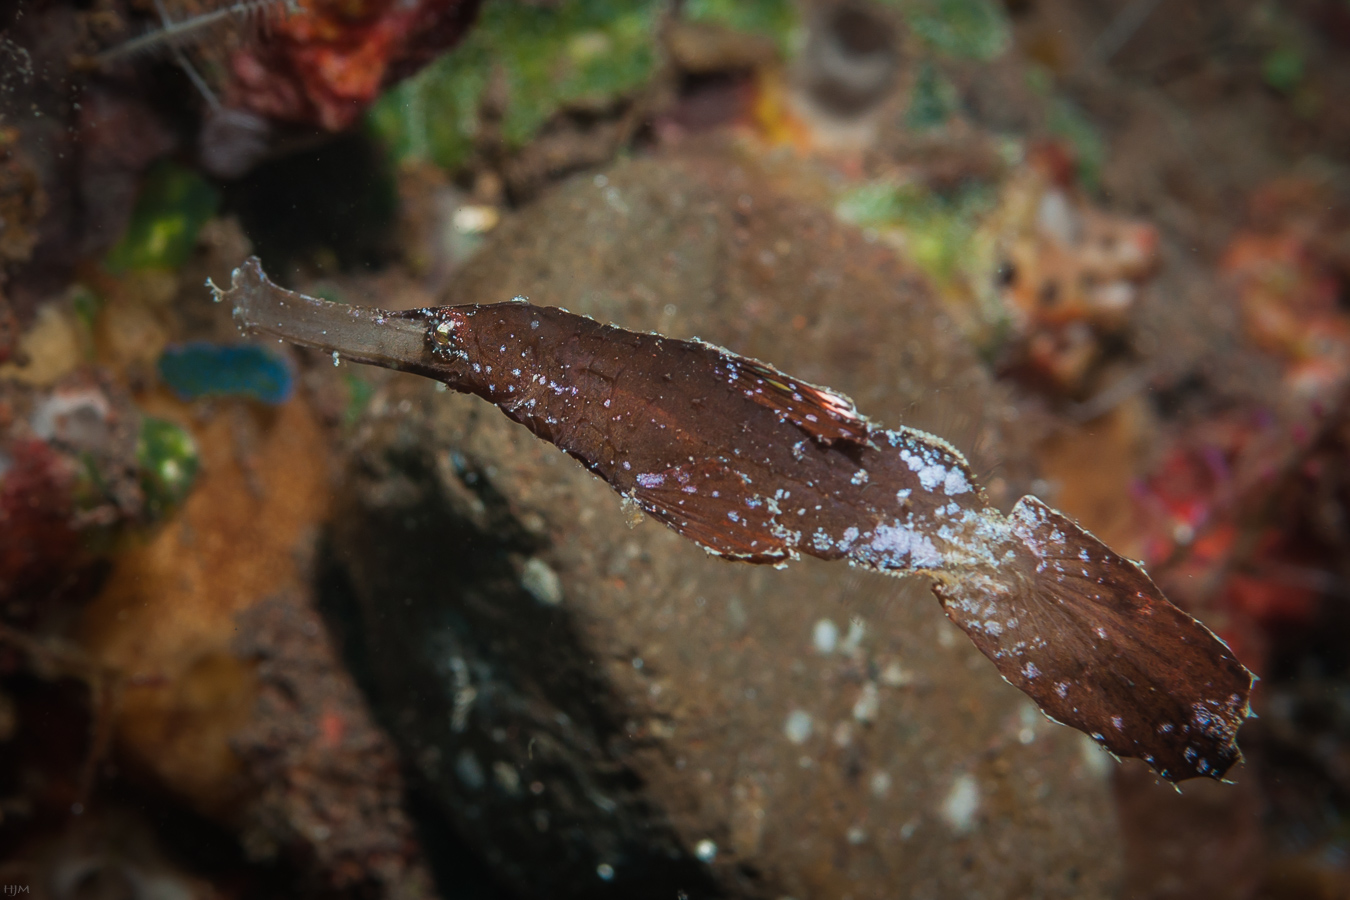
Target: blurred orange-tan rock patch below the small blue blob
[[165, 620]]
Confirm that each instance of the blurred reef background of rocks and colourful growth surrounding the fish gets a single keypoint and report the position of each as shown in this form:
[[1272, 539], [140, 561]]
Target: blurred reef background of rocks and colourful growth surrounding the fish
[[275, 624]]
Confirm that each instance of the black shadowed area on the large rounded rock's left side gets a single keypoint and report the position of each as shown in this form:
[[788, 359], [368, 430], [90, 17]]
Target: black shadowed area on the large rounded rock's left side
[[433, 596]]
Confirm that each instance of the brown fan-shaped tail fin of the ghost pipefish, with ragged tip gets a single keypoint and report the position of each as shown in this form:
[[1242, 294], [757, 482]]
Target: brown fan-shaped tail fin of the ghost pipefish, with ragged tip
[[1089, 636]]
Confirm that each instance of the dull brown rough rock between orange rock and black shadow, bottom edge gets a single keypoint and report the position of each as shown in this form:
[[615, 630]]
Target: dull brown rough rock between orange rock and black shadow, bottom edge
[[330, 785]]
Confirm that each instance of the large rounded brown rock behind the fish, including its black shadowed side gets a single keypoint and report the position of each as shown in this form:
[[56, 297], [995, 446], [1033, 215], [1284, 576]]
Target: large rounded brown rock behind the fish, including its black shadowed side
[[608, 709]]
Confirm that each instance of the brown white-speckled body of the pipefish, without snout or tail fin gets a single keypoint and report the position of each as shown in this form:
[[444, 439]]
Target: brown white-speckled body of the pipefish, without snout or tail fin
[[750, 462]]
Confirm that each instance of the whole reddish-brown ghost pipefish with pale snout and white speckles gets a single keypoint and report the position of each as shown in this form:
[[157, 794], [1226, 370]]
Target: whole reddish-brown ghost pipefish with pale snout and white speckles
[[757, 466]]
